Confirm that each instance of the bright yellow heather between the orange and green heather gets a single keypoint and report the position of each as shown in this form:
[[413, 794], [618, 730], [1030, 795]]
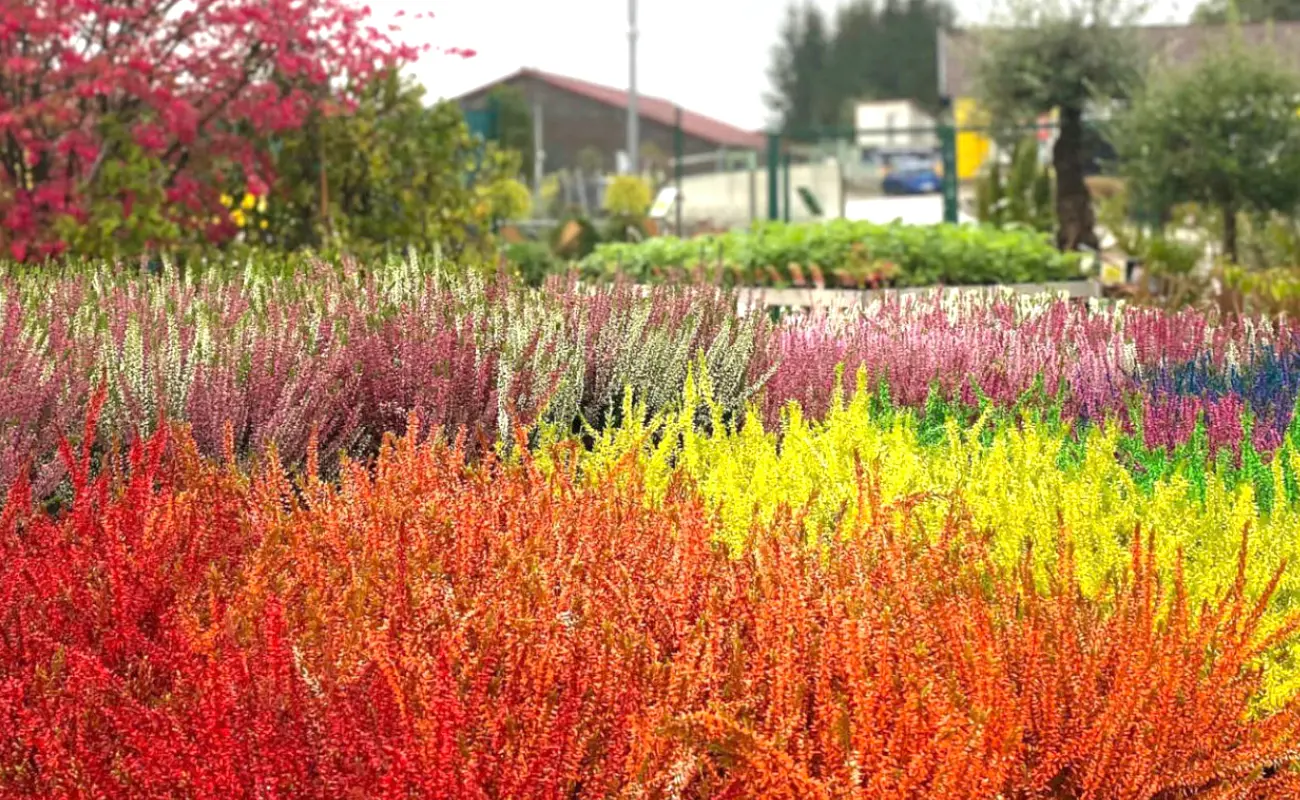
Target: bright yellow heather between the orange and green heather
[[1008, 482]]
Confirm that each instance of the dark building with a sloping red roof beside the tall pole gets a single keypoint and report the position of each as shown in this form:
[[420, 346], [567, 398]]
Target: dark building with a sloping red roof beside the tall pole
[[583, 116]]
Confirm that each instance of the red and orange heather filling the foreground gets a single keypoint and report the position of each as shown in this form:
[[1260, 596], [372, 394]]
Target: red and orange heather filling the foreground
[[427, 628]]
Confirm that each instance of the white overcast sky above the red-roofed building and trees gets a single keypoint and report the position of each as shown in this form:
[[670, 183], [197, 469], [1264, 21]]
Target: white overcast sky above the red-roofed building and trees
[[710, 57]]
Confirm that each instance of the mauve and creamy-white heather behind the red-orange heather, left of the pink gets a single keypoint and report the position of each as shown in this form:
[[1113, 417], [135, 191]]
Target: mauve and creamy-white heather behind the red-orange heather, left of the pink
[[344, 354]]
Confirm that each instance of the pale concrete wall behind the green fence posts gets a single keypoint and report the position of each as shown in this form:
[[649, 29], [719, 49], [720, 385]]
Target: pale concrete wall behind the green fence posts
[[725, 198]]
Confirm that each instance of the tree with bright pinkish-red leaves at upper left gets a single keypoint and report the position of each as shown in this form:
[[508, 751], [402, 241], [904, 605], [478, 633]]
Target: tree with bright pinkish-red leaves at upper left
[[107, 106]]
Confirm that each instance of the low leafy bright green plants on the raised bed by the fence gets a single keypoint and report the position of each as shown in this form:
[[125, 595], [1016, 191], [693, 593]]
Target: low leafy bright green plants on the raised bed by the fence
[[842, 254]]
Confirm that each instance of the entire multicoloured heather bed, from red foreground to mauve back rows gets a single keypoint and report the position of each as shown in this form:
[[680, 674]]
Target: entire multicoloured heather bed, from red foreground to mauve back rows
[[397, 530]]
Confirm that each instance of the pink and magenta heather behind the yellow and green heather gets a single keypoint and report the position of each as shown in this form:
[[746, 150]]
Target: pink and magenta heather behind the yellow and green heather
[[1094, 361]]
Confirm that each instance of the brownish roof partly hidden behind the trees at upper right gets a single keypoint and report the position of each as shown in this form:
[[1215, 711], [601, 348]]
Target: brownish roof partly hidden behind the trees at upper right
[[1171, 45]]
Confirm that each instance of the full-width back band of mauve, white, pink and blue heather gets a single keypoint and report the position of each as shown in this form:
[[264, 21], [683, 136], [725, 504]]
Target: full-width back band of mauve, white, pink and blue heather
[[348, 351]]
